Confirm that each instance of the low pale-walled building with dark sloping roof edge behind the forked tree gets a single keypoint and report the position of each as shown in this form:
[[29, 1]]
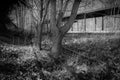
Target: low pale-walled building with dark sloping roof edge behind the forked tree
[[100, 21]]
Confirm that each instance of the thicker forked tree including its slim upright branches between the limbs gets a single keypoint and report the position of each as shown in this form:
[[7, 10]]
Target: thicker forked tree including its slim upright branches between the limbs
[[59, 30]]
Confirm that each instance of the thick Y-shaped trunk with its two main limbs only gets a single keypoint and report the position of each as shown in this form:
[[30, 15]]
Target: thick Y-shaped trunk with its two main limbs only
[[59, 31]]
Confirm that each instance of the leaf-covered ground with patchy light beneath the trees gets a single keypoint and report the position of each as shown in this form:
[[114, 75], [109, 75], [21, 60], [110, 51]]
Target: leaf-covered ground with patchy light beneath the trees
[[82, 59]]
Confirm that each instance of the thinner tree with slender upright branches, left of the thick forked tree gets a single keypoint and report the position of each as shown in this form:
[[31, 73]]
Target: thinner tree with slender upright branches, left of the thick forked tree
[[42, 8]]
